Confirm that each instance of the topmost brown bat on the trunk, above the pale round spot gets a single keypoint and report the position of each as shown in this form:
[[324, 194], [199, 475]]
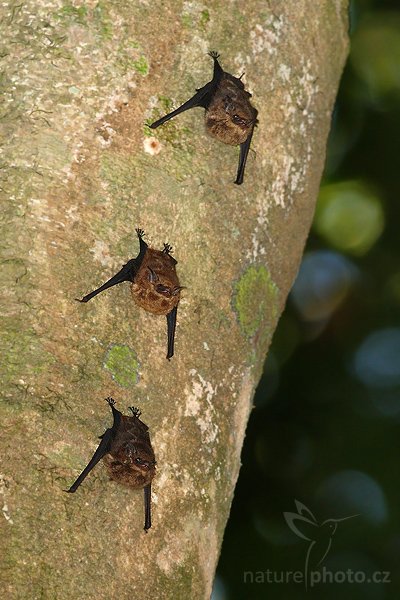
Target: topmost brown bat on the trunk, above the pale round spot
[[229, 116]]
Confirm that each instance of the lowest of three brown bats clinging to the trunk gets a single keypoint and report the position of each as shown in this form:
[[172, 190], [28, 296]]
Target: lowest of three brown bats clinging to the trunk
[[127, 452]]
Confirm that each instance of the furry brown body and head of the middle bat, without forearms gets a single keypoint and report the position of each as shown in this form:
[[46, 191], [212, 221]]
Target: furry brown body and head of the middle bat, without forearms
[[156, 287]]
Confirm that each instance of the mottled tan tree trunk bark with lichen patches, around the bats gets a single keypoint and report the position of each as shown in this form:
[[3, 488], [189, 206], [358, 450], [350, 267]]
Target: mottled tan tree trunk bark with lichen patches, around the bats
[[79, 173]]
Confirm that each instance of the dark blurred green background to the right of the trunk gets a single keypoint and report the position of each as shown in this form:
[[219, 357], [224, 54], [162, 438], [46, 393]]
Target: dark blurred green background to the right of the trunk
[[325, 426]]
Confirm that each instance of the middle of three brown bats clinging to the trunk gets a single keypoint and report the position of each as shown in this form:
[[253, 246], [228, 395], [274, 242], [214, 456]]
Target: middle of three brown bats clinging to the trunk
[[154, 284]]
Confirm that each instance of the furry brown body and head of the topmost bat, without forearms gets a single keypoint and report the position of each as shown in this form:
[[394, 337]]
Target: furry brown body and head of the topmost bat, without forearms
[[230, 117]]
